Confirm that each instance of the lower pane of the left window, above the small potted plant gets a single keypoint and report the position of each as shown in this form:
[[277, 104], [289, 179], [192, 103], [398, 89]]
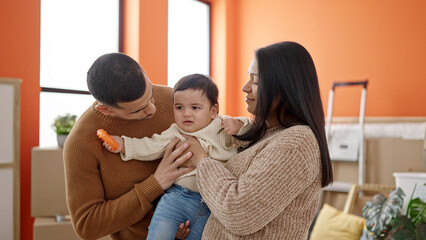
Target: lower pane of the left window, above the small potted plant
[[54, 104]]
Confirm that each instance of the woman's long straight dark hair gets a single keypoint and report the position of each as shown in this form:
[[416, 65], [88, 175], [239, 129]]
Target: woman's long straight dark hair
[[287, 72]]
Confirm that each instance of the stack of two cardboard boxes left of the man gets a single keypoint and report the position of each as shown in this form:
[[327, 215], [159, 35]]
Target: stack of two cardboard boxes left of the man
[[48, 198]]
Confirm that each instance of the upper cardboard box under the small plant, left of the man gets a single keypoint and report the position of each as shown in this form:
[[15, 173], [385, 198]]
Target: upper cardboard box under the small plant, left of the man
[[47, 183]]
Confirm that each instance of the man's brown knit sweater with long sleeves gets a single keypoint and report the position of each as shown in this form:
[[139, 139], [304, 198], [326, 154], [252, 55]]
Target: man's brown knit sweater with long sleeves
[[106, 195]]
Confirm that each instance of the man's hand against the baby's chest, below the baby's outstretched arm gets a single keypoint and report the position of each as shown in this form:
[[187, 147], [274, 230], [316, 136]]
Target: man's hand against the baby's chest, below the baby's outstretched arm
[[167, 171]]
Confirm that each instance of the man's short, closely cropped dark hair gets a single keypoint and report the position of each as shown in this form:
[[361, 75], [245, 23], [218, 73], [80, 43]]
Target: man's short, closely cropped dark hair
[[114, 78]]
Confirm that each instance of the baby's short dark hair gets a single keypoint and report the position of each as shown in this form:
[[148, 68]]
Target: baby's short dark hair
[[198, 82]]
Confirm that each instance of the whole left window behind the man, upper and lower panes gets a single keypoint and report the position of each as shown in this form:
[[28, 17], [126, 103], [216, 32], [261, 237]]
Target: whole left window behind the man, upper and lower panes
[[73, 34]]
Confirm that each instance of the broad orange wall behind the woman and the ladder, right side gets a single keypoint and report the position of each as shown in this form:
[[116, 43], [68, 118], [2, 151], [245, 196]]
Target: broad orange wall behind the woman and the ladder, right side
[[381, 40]]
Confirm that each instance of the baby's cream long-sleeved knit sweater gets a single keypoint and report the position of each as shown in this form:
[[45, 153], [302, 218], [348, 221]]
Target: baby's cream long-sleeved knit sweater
[[216, 143]]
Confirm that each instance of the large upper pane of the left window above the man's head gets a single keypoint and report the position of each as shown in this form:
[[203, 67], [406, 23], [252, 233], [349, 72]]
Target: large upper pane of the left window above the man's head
[[73, 34]]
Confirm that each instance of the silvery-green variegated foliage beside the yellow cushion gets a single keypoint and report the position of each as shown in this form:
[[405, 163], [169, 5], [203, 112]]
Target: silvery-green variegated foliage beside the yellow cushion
[[380, 211]]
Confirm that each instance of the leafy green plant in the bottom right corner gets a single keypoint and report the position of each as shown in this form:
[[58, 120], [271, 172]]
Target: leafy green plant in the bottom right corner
[[385, 221]]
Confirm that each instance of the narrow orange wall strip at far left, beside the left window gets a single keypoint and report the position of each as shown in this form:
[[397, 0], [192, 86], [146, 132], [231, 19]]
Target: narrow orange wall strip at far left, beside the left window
[[20, 58]]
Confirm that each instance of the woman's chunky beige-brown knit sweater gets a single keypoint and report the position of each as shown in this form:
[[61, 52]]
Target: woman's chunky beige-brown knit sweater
[[269, 191]]
